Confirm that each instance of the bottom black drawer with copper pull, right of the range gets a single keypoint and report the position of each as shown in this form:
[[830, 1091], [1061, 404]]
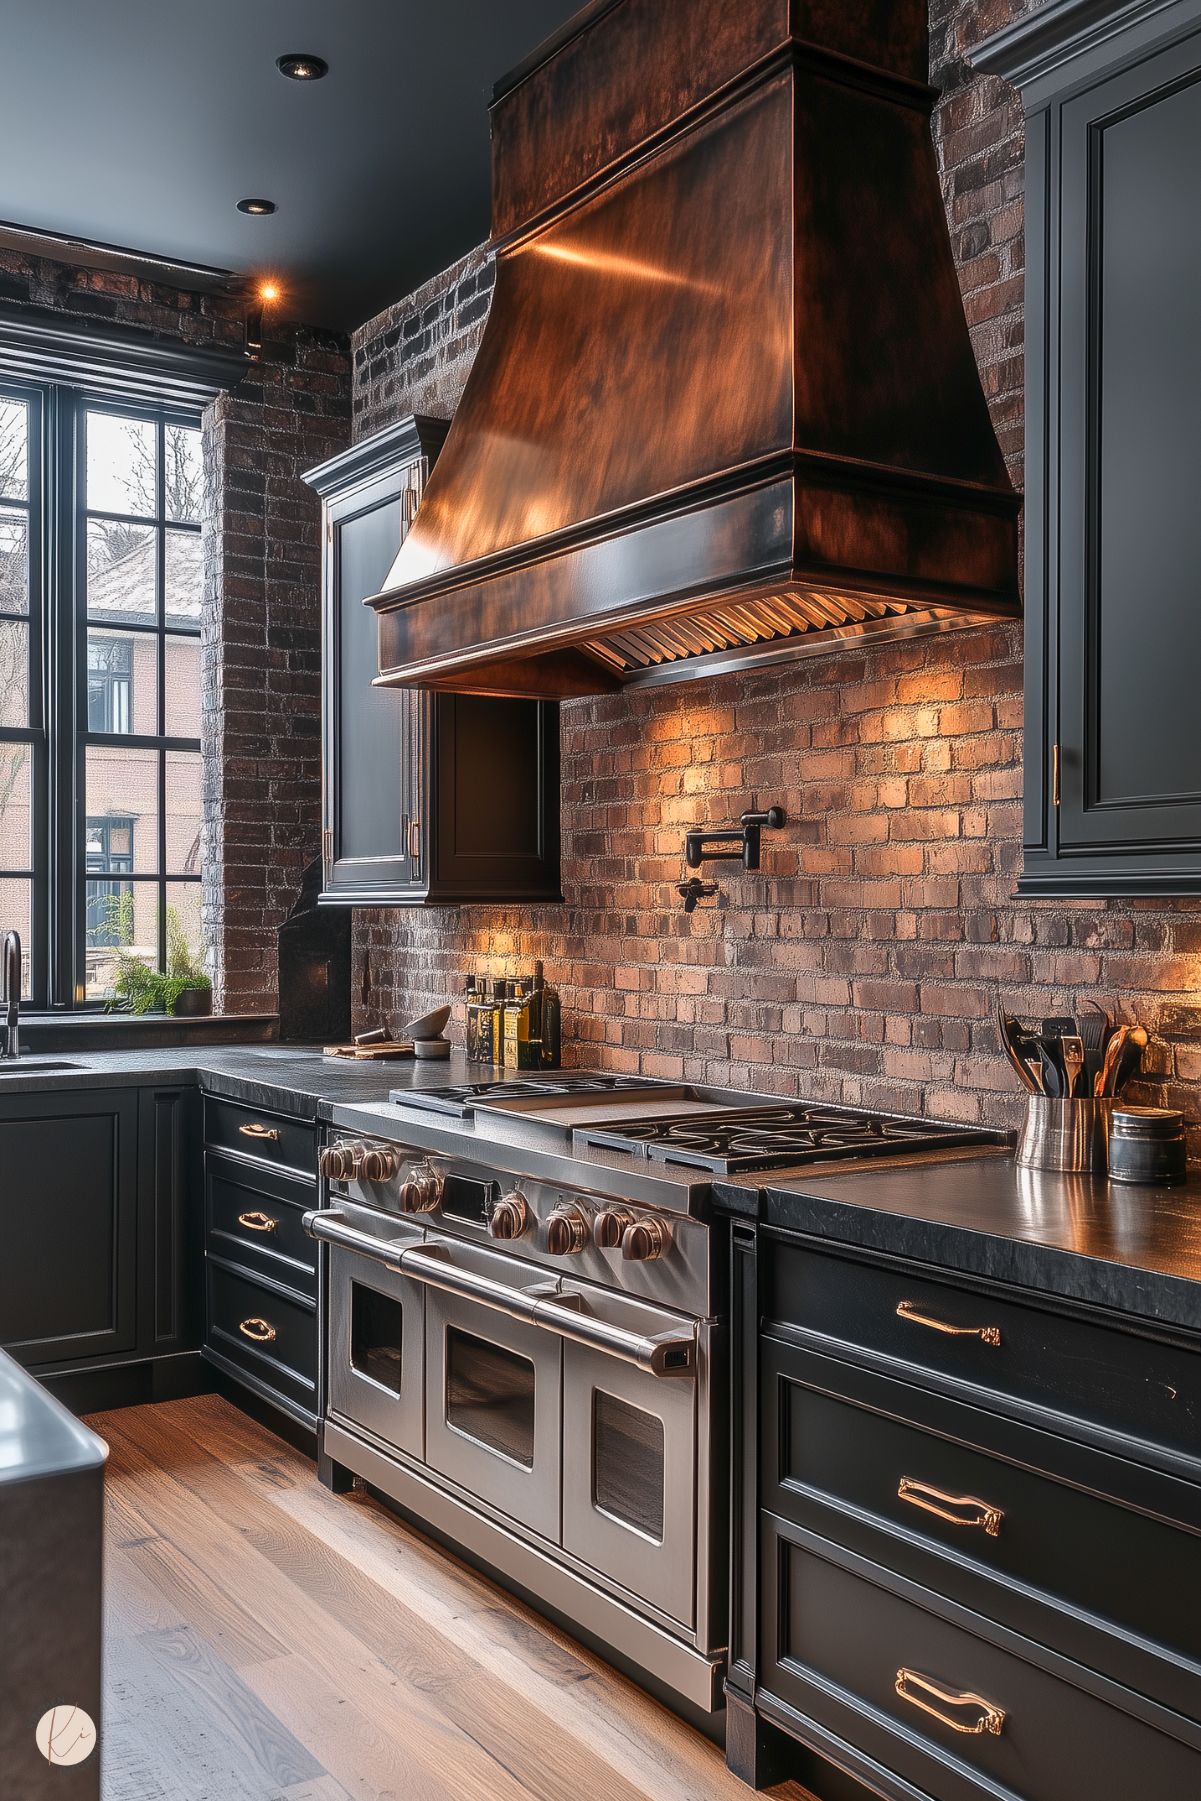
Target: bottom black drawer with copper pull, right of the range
[[937, 1705]]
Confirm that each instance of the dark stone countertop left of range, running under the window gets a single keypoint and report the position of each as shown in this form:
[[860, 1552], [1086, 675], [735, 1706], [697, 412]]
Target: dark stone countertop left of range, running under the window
[[284, 1078]]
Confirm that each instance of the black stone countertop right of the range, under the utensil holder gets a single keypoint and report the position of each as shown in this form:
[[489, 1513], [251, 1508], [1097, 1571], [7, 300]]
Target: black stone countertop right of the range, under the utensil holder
[[1079, 1238]]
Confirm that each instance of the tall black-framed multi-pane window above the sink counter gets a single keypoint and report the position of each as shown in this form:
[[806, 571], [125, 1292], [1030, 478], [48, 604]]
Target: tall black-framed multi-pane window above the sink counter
[[100, 687]]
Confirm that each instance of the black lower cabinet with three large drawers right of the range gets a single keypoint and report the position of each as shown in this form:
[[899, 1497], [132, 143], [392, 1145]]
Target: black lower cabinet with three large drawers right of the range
[[962, 1550]]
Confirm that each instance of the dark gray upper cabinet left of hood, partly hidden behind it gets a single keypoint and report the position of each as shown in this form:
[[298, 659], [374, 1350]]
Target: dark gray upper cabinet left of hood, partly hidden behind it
[[428, 797]]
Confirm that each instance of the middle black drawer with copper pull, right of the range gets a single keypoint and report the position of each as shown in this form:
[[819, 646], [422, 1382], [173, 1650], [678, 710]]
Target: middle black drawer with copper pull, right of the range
[[961, 1501]]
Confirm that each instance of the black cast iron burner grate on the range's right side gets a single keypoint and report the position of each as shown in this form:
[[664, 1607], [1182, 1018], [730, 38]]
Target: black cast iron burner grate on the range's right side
[[773, 1137]]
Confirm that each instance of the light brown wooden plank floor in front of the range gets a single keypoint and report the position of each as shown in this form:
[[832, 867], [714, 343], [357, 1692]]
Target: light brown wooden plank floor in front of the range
[[269, 1642]]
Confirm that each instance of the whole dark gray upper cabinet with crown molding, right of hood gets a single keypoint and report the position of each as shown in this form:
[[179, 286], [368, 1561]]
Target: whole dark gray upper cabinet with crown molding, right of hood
[[1114, 442]]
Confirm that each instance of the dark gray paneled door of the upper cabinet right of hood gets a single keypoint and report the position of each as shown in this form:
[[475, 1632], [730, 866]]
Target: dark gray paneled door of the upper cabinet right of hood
[[1130, 532]]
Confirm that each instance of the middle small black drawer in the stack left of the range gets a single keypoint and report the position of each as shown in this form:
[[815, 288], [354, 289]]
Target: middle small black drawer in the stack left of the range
[[255, 1218]]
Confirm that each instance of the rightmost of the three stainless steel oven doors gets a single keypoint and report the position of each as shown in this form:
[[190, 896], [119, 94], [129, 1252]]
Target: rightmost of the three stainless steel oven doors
[[631, 1469]]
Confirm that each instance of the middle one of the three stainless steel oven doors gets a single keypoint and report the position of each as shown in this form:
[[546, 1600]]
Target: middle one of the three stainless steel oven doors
[[492, 1393]]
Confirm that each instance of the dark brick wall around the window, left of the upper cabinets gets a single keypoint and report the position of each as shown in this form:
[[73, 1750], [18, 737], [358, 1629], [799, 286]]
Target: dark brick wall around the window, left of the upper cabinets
[[262, 622]]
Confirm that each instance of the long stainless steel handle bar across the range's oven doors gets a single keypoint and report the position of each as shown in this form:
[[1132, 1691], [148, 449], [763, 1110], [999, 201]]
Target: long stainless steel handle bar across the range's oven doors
[[671, 1353]]
